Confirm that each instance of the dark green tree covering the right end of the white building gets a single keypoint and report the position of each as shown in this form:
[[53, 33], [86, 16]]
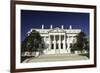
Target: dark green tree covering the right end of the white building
[[81, 42]]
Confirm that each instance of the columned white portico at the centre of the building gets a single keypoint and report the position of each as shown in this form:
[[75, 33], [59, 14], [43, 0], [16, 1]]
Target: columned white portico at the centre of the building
[[57, 40]]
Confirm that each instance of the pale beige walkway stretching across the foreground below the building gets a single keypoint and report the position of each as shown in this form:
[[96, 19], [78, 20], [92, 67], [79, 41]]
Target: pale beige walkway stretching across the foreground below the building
[[55, 57]]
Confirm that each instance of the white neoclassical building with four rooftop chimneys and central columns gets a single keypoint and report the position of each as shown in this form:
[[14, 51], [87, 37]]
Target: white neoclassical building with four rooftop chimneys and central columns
[[58, 40]]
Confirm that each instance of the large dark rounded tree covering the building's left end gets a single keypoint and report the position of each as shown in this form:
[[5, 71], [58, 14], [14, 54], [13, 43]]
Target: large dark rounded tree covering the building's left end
[[33, 42]]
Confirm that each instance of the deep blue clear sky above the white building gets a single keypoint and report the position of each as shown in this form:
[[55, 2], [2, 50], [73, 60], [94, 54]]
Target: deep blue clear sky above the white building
[[35, 19]]
